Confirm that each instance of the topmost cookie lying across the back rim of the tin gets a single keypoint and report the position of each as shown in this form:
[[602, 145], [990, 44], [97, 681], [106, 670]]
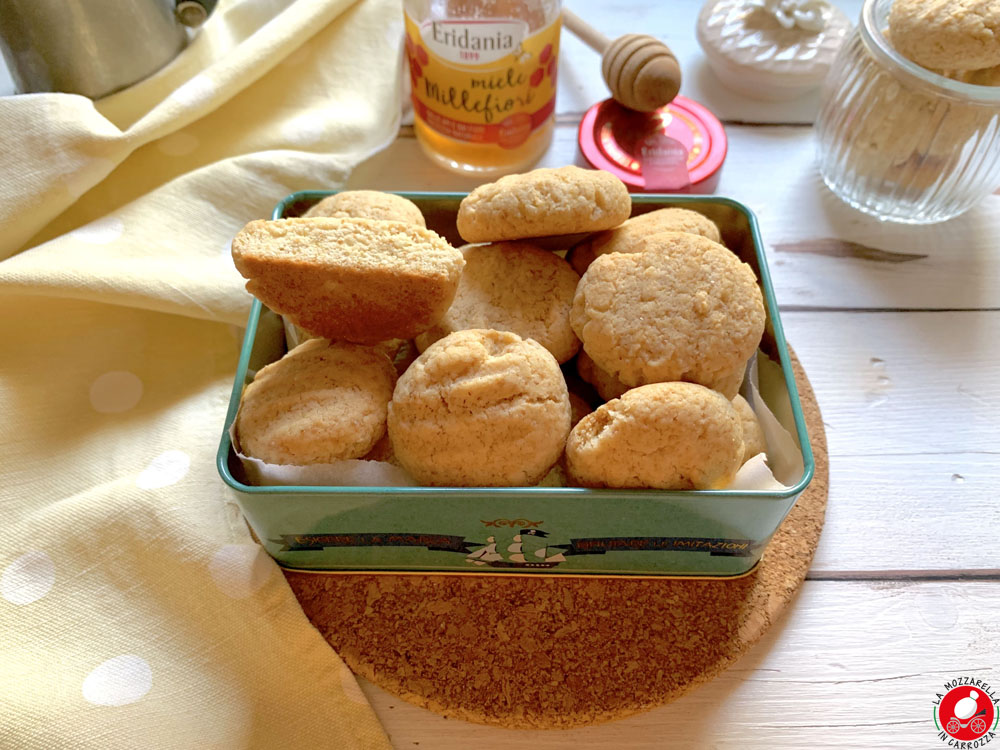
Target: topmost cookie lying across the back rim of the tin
[[542, 203]]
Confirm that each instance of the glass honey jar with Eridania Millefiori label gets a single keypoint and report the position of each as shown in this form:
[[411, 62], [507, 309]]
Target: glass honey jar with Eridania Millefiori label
[[483, 75]]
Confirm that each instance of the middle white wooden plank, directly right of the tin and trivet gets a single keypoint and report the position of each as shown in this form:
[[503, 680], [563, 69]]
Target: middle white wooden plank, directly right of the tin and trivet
[[911, 405]]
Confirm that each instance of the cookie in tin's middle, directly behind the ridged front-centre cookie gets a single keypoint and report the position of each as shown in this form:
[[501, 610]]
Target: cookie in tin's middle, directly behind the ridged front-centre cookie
[[517, 287]]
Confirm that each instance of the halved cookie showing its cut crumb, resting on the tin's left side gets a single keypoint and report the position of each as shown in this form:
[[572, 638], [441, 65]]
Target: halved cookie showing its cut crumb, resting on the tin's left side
[[359, 280]]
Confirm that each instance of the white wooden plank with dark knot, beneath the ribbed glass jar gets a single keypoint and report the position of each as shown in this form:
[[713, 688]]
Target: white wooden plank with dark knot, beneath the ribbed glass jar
[[821, 252]]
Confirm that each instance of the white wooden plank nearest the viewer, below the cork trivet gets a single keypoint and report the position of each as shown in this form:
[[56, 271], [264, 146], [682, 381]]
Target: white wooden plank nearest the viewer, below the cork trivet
[[853, 665]]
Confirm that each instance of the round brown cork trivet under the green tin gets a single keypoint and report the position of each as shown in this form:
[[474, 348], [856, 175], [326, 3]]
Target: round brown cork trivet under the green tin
[[562, 652]]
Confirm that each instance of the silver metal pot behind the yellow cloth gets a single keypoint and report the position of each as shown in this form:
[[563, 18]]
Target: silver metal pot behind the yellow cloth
[[93, 47]]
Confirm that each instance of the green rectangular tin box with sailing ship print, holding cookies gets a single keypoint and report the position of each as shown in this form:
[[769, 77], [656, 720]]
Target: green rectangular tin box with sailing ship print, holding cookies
[[524, 530]]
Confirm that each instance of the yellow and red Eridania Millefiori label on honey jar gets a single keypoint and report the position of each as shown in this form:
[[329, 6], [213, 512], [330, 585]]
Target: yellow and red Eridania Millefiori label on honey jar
[[482, 81]]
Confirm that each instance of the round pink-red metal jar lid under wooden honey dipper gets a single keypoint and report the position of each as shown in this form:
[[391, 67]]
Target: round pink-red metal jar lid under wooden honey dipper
[[678, 148]]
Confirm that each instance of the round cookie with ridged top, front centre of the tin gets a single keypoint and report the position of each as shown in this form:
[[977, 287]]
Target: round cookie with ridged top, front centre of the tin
[[480, 408]]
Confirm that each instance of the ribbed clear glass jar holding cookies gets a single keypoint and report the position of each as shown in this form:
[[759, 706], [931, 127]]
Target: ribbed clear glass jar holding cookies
[[901, 142]]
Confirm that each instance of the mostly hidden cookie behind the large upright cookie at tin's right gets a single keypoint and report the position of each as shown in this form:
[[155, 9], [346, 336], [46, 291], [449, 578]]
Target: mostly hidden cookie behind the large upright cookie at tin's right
[[629, 237]]
